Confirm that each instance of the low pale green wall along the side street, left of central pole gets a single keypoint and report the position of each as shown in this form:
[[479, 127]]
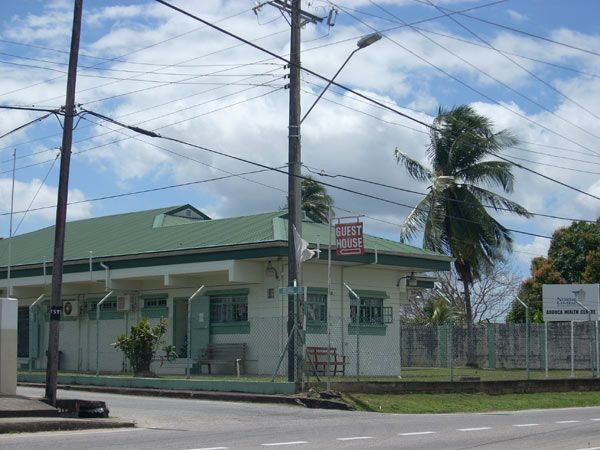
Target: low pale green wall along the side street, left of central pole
[[253, 387]]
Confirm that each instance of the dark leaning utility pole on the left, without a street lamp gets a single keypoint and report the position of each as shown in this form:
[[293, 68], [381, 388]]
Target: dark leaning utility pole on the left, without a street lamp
[[61, 210]]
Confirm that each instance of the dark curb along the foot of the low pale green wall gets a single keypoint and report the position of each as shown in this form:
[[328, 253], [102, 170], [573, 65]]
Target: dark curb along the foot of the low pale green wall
[[210, 395]]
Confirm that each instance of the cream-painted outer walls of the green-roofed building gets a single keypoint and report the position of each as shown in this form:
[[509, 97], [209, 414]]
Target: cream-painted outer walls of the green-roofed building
[[267, 317]]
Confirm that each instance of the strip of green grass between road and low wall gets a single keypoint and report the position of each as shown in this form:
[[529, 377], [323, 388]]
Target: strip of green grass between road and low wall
[[452, 403]]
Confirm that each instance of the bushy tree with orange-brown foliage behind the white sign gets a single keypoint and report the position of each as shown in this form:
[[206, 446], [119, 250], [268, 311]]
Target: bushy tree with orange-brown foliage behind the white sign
[[573, 257]]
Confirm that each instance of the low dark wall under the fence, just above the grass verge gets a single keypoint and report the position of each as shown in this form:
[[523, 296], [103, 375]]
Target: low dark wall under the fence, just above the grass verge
[[487, 387]]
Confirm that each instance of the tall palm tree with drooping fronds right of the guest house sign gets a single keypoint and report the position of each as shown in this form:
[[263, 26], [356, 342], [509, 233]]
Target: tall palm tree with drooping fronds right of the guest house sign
[[453, 215]]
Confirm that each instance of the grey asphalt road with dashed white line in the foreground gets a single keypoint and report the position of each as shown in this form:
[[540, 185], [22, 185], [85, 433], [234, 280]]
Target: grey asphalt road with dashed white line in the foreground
[[198, 424]]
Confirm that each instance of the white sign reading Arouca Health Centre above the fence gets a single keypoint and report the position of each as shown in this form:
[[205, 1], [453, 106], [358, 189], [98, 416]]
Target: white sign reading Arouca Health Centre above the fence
[[560, 301]]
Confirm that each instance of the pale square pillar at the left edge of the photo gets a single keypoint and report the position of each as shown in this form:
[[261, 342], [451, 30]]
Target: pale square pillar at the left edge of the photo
[[8, 346]]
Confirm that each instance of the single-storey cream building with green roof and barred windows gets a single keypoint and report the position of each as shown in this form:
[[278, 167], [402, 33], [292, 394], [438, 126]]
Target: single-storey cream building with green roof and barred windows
[[154, 260]]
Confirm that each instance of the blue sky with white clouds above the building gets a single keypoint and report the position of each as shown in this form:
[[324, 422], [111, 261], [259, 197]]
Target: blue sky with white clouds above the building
[[147, 65]]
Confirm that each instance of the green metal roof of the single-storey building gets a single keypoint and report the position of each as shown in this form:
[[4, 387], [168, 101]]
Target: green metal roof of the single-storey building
[[160, 230]]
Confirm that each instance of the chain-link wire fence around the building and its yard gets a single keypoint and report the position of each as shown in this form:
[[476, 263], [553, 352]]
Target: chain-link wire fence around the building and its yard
[[342, 349]]
